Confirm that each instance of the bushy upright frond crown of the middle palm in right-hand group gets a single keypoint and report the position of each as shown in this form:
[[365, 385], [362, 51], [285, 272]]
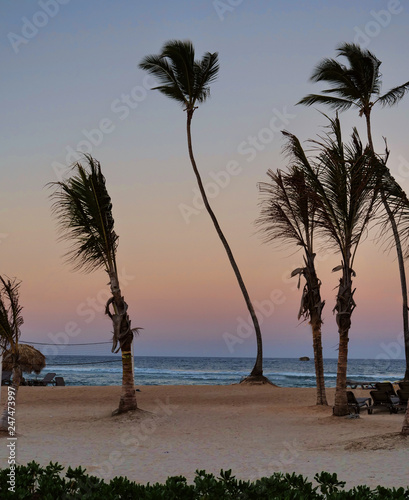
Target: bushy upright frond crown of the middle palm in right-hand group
[[345, 179]]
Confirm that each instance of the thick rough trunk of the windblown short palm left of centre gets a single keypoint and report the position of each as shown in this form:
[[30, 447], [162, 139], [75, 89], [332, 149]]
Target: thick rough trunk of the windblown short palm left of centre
[[123, 334]]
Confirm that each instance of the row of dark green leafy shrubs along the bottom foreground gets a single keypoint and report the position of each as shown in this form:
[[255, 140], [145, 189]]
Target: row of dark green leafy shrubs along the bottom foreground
[[47, 483]]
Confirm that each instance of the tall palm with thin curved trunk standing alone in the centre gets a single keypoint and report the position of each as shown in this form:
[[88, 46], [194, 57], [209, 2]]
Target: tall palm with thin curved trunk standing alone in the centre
[[187, 81]]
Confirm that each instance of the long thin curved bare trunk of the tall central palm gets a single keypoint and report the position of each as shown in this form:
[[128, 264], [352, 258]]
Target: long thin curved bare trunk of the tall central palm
[[257, 372]]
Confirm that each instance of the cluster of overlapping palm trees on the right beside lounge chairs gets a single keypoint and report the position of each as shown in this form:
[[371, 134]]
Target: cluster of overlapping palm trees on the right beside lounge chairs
[[335, 194]]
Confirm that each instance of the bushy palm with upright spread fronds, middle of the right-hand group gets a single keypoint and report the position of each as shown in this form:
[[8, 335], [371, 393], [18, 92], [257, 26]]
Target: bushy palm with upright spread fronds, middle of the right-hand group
[[345, 179]]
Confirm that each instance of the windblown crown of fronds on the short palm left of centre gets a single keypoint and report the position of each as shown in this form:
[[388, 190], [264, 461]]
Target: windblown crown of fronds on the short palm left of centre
[[83, 210]]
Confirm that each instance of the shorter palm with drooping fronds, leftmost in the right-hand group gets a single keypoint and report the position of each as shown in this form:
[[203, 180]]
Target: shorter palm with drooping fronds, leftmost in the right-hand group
[[288, 214]]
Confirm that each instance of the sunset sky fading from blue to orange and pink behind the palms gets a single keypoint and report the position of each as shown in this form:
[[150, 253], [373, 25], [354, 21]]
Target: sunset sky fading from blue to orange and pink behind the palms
[[75, 78]]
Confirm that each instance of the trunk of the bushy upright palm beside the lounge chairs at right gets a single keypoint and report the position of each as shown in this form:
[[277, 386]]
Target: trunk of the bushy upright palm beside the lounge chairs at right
[[344, 307]]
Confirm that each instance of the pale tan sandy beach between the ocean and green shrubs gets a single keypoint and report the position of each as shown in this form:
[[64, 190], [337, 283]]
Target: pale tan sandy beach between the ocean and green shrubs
[[252, 430]]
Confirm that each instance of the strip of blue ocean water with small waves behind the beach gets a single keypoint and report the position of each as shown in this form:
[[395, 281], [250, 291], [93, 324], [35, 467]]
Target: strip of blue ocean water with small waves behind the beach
[[163, 370]]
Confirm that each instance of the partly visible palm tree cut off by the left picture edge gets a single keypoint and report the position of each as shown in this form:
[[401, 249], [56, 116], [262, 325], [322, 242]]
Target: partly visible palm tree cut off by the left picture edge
[[11, 321]]
